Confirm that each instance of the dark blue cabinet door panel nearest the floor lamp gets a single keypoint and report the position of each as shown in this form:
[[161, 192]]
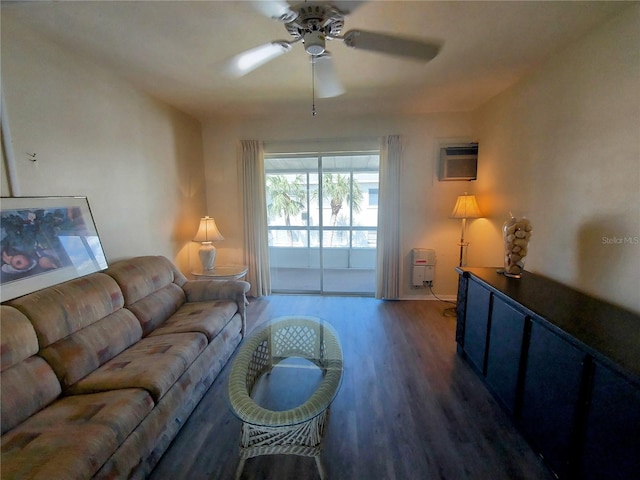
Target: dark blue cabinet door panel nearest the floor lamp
[[477, 318]]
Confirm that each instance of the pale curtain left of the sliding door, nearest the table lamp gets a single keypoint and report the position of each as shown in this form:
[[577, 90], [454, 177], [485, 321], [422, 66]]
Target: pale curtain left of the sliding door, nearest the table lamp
[[255, 218]]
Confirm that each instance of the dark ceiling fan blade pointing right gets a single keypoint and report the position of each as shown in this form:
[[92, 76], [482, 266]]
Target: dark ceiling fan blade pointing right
[[391, 44]]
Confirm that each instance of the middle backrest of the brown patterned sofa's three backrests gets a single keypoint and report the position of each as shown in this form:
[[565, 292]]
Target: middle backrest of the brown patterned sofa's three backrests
[[80, 324]]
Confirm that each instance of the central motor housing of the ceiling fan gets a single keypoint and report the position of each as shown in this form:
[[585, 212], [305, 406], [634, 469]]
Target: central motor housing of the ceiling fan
[[313, 24]]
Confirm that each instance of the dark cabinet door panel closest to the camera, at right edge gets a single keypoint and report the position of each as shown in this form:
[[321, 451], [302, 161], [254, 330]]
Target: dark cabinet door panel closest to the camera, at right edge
[[612, 440]]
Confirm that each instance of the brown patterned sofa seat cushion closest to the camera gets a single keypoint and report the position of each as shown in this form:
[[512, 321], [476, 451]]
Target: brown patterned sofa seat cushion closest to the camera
[[74, 436]]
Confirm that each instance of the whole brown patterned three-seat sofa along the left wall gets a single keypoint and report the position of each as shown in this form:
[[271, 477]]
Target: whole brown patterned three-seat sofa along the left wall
[[99, 373]]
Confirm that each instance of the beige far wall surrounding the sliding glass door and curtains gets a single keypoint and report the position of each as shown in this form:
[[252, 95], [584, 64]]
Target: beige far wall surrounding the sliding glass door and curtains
[[426, 203]]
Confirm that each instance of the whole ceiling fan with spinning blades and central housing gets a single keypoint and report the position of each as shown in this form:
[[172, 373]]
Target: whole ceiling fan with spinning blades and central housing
[[313, 23]]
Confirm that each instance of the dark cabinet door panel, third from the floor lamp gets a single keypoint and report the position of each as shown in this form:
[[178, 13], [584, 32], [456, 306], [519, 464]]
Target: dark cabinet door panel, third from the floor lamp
[[551, 394]]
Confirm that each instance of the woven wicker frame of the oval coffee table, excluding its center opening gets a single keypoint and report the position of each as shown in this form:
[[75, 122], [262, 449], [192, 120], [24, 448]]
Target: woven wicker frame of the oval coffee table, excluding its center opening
[[297, 431]]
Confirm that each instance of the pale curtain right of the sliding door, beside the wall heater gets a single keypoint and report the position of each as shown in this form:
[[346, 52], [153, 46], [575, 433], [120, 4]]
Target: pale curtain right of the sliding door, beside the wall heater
[[388, 246]]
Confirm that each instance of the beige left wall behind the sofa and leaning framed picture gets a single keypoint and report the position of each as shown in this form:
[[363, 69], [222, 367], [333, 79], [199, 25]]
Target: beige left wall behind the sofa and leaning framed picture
[[138, 161]]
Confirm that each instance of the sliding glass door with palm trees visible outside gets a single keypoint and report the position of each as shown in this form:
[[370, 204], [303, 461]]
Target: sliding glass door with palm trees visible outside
[[323, 212]]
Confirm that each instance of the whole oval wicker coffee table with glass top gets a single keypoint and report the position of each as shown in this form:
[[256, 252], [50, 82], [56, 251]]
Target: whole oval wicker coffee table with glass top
[[276, 419]]
